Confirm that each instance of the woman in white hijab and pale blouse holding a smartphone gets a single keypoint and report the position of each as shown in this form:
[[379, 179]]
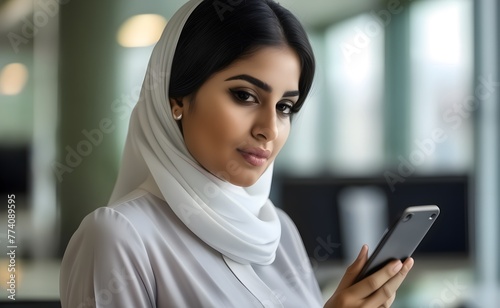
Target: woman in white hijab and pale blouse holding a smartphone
[[189, 223]]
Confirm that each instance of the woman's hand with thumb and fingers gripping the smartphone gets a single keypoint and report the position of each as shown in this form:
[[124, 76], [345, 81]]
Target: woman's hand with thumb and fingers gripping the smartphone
[[376, 290]]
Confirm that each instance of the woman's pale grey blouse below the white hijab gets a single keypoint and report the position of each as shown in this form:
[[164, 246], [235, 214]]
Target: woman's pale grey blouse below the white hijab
[[139, 254]]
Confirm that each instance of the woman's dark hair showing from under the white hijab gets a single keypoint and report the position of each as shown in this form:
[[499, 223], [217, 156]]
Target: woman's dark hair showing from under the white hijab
[[219, 32]]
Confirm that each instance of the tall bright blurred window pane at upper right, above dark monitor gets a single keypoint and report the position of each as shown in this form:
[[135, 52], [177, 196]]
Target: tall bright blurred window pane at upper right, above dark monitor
[[441, 71]]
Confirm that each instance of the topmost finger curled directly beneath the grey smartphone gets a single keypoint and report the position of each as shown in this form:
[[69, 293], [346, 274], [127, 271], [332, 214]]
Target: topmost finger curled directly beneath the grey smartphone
[[375, 281]]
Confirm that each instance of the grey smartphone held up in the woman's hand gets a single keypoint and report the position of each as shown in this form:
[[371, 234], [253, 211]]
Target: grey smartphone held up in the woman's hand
[[402, 238]]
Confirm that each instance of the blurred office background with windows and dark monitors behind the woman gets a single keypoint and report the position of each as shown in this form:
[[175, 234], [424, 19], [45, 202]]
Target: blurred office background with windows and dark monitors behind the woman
[[404, 111]]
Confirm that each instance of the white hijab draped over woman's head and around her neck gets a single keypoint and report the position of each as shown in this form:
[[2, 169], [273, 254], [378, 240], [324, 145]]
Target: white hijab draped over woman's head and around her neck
[[240, 223]]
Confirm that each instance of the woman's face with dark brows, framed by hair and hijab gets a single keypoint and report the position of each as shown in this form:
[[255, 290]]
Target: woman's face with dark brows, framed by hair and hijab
[[240, 117]]
